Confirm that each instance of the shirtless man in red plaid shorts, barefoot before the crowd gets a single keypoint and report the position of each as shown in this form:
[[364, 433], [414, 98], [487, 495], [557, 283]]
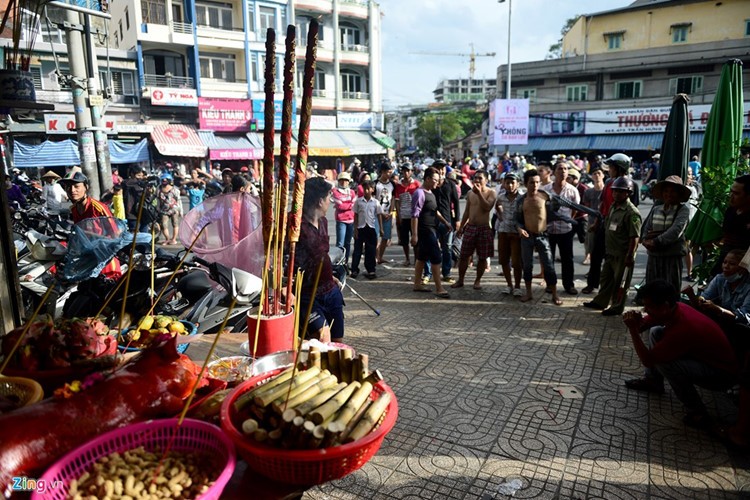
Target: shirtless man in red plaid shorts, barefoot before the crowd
[[476, 230]]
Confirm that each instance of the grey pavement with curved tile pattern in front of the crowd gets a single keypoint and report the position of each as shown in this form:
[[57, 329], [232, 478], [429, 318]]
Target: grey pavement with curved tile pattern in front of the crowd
[[476, 378]]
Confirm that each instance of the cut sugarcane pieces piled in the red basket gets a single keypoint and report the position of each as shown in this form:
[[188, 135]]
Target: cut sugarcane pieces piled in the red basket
[[330, 402]]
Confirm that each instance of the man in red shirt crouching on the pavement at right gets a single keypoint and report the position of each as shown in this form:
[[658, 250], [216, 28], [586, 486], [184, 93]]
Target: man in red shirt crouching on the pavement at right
[[685, 346]]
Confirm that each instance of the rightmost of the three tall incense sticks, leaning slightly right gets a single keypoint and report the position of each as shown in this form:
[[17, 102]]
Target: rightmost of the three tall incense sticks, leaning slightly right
[[295, 221]]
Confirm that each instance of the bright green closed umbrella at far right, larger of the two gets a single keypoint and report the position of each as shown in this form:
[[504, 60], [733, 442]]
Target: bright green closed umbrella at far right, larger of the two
[[721, 146]]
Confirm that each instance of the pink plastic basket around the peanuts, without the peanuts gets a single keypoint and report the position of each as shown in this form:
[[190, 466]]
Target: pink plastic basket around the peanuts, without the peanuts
[[193, 436]]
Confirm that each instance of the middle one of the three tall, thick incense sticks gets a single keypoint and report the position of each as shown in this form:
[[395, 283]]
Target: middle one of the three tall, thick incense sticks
[[286, 146]]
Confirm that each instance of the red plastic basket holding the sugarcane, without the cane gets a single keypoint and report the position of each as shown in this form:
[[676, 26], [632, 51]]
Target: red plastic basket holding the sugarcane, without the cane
[[305, 467]]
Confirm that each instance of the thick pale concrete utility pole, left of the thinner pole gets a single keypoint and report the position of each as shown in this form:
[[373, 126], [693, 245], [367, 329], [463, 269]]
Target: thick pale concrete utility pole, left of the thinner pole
[[78, 84]]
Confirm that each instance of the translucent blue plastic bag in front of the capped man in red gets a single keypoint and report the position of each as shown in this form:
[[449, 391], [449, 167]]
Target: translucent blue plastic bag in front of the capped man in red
[[93, 243]]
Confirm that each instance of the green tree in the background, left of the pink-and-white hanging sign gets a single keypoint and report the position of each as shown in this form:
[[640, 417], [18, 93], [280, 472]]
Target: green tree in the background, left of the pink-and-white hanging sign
[[434, 128]]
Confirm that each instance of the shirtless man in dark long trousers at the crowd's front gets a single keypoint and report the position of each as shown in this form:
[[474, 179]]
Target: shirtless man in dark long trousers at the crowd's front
[[532, 210]]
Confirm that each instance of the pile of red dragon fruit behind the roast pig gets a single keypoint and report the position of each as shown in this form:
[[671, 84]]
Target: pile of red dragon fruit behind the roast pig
[[58, 344]]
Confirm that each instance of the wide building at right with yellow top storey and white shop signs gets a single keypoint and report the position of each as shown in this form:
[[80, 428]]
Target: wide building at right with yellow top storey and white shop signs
[[620, 70]]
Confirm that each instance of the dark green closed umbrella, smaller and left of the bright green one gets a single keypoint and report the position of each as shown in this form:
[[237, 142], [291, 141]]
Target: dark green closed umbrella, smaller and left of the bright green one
[[675, 146]]
